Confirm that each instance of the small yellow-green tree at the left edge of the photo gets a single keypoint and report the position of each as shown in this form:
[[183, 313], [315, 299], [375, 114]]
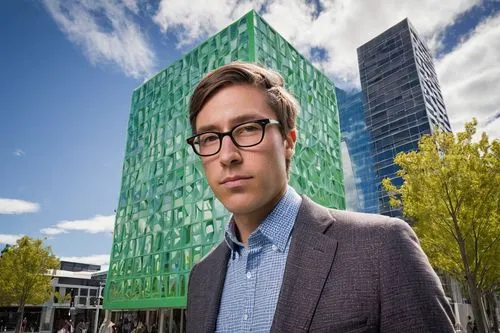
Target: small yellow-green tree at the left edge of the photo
[[24, 274]]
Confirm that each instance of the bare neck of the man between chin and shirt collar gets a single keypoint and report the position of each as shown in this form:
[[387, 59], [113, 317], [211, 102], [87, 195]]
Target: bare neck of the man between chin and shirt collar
[[245, 224]]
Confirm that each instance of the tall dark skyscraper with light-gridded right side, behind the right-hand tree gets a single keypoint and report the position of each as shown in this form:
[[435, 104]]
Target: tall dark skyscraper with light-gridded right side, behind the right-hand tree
[[402, 99]]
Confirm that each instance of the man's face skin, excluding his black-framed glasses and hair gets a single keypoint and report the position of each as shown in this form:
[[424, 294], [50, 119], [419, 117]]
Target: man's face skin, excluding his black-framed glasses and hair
[[246, 180]]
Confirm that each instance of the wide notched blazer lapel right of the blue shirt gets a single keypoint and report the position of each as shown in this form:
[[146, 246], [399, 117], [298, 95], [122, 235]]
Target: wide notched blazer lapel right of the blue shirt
[[309, 263]]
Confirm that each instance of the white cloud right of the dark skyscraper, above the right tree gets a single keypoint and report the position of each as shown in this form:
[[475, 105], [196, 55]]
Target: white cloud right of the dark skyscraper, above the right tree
[[470, 76]]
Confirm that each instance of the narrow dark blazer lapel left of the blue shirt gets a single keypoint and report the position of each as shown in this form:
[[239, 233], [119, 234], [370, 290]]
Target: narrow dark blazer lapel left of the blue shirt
[[216, 277]]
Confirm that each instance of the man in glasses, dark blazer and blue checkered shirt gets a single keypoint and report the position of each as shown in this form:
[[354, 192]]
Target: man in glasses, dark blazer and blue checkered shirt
[[288, 264]]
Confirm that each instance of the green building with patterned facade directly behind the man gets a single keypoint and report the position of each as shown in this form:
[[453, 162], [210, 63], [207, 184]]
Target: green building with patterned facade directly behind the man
[[167, 217]]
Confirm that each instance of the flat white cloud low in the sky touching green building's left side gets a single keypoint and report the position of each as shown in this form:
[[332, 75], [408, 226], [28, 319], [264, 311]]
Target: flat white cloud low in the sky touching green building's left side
[[97, 224]]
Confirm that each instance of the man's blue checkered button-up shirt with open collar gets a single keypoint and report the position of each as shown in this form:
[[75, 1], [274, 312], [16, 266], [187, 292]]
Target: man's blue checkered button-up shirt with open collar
[[254, 274]]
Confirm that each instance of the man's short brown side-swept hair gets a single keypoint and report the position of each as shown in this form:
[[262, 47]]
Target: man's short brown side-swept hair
[[280, 100]]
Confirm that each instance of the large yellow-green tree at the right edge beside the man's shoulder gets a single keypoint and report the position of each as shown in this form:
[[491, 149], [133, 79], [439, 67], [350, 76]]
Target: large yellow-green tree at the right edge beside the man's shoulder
[[451, 191]]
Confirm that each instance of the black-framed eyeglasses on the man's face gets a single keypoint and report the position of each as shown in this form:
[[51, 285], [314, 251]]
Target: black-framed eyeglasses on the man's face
[[248, 134]]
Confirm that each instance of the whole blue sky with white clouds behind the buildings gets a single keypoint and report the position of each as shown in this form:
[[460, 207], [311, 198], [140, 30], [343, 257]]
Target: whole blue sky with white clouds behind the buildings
[[68, 70]]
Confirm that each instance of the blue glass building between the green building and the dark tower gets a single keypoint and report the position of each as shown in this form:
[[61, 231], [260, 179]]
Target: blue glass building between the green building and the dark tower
[[359, 176]]
